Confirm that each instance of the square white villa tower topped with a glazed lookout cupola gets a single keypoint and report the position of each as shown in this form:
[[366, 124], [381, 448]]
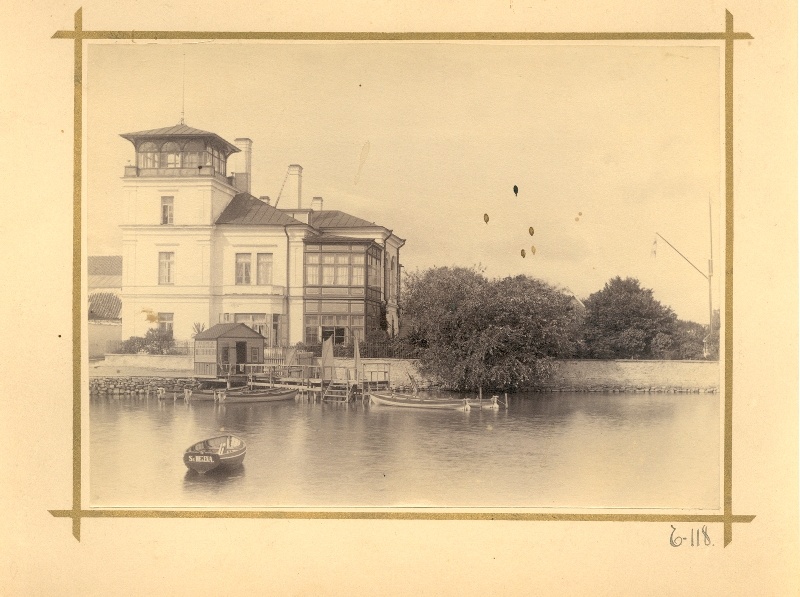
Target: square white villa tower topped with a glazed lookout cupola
[[179, 184]]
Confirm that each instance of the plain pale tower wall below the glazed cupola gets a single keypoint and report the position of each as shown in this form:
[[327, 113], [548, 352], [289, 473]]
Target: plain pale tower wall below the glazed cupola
[[195, 273]]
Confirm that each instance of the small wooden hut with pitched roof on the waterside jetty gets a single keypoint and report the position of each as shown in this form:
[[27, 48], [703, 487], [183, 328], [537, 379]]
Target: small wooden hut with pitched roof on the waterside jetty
[[225, 348]]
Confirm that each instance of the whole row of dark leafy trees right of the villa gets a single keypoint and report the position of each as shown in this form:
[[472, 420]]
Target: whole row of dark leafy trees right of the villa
[[471, 332]]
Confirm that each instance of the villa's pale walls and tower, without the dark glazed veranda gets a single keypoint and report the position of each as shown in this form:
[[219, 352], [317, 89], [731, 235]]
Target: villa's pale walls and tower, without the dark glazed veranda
[[184, 265]]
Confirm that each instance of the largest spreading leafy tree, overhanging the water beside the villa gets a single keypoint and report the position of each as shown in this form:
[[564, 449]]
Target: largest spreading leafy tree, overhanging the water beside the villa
[[474, 333]]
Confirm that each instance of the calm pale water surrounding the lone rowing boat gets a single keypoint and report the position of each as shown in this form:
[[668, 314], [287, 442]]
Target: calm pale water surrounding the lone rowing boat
[[572, 450]]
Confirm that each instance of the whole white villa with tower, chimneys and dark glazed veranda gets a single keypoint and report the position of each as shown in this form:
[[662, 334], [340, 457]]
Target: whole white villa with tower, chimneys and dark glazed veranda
[[198, 248]]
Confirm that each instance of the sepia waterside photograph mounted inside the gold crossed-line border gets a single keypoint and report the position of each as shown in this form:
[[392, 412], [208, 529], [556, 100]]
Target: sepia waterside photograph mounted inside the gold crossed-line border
[[405, 275]]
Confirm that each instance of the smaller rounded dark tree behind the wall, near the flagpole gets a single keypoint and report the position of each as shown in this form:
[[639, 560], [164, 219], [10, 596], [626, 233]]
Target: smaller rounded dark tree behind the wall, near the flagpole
[[624, 321]]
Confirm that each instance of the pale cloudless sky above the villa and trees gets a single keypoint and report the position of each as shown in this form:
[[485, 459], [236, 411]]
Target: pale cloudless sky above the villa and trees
[[608, 144]]
